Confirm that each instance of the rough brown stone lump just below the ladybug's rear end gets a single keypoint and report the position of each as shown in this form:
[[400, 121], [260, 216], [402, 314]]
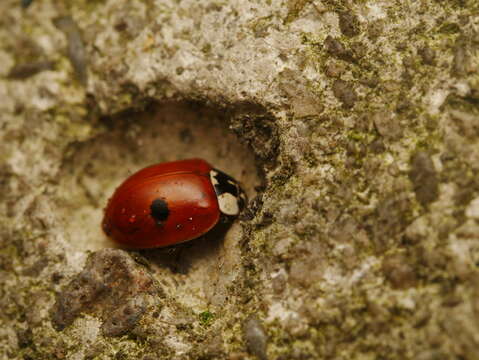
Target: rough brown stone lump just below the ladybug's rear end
[[111, 286]]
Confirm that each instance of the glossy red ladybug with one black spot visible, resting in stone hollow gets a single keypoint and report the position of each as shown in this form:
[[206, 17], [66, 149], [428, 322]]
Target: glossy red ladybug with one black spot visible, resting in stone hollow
[[171, 202]]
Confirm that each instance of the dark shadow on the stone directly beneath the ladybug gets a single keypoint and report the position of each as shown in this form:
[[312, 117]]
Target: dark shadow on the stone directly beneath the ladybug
[[180, 258]]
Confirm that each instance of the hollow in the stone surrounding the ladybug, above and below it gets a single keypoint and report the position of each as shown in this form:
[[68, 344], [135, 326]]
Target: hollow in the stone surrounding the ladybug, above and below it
[[199, 273]]
